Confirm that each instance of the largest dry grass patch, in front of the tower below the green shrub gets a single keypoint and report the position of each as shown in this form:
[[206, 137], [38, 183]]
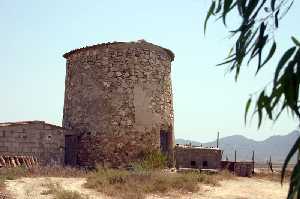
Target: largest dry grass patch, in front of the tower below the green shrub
[[137, 184]]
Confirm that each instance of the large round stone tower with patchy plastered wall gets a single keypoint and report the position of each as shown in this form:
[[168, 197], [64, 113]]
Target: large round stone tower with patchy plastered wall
[[118, 100]]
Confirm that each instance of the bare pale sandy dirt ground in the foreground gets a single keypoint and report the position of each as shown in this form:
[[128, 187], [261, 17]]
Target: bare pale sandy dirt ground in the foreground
[[239, 188]]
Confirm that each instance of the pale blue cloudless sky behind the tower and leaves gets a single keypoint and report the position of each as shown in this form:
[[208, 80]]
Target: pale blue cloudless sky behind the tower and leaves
[[35, 34]]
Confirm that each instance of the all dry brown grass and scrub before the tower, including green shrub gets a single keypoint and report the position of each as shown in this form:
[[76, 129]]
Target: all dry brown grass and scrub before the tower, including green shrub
[[143, 178]]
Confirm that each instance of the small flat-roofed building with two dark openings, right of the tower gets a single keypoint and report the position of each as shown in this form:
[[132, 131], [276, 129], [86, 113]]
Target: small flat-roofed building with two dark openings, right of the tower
[[187, 156]]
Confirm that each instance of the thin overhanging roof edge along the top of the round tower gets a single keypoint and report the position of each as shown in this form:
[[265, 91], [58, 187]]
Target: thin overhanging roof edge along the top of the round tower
[[140, 42]]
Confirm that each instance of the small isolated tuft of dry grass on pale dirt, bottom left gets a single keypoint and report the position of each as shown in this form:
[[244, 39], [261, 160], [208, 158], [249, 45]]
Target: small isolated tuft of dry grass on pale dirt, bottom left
[[59, 193]]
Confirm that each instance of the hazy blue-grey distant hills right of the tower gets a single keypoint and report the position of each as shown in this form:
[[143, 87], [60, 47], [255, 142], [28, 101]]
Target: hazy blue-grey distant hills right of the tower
[[276, 146]]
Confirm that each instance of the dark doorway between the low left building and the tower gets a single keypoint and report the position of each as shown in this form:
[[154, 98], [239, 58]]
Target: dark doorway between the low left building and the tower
[[71, 143]]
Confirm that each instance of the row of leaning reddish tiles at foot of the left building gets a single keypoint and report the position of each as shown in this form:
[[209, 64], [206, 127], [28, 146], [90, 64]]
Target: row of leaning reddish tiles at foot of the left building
[[15, 161]]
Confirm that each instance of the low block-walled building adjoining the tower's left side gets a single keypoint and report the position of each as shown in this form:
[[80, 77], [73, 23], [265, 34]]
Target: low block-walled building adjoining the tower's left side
[[38, 139]]
